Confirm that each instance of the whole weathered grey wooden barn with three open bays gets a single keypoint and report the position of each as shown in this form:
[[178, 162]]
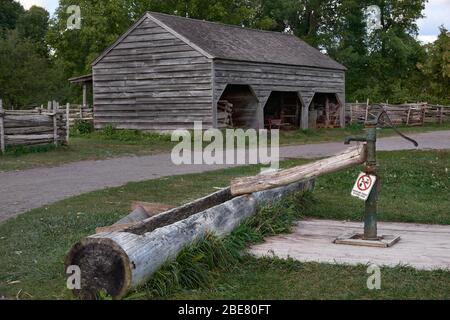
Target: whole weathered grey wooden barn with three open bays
[[166, 72]]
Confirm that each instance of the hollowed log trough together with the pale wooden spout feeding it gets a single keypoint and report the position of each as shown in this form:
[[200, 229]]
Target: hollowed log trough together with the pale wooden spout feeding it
[[121, 260]]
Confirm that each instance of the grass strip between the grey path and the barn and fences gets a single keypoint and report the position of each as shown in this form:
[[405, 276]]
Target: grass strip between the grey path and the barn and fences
[[99, 146]]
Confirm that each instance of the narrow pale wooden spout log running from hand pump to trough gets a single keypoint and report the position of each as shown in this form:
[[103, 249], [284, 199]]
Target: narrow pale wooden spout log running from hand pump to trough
[[351, 157]]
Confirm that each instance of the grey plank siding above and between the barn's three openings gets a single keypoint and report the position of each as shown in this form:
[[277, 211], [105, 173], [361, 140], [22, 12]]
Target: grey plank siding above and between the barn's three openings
[[265, 78]]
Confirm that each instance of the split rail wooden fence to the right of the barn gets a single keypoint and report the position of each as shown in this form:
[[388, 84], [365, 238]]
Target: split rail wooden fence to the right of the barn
[[417, 114]]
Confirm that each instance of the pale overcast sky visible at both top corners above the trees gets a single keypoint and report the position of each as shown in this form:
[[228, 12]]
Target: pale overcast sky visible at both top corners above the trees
[[437, 13]]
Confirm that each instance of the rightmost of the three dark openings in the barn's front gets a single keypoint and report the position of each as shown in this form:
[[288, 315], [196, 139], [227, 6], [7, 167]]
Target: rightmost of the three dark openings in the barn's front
[[325, 111]]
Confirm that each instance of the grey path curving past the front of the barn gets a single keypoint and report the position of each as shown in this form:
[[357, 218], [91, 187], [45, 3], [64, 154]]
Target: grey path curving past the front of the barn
[[25, 190]]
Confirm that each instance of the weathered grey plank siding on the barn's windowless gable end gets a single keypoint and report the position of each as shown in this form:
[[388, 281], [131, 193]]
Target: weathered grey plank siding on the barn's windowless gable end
[[152, 81]]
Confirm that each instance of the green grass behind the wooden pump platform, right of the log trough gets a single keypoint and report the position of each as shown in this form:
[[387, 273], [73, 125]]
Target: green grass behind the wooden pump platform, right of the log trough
[[415, 188]]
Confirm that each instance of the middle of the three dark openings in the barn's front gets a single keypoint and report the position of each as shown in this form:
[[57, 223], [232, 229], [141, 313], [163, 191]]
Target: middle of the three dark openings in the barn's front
[[282, 111]]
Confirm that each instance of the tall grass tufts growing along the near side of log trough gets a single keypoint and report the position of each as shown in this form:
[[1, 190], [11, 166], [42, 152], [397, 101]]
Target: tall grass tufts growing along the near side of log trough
[[196, 265]]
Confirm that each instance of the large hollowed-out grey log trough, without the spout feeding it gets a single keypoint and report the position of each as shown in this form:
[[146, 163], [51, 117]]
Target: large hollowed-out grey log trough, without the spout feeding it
[[118, 262]]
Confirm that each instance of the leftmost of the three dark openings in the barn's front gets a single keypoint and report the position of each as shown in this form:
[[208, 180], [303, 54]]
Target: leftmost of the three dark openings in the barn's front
[[237, 108]]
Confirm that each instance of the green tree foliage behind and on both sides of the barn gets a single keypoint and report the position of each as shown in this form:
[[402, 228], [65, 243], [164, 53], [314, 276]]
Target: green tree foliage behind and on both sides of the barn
[[387, 63]]
